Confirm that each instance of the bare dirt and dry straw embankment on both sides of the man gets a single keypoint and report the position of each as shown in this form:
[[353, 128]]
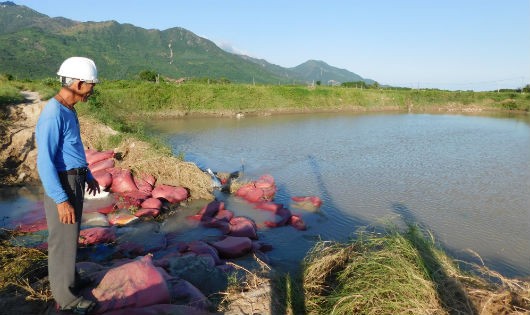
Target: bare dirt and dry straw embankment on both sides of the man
[[18, 154]]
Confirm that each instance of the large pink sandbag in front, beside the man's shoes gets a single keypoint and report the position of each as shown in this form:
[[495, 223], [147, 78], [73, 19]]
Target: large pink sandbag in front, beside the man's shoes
[[135, 284]]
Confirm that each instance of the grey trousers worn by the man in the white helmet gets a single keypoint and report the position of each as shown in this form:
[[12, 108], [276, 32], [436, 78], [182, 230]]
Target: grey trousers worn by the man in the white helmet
[[62, 240]]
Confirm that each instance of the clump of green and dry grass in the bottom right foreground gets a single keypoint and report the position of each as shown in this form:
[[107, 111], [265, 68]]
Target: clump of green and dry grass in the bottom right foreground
[[403, 273]]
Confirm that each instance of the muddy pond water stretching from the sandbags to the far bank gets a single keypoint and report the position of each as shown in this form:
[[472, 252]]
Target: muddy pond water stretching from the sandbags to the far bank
[[465, 178]]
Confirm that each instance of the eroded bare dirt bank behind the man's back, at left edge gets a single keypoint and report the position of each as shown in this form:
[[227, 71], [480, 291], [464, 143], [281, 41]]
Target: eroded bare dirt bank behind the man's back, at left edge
[[18, 154]]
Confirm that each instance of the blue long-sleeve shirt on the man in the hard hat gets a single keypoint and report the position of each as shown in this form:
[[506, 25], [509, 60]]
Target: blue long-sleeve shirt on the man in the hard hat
[[59, 147]]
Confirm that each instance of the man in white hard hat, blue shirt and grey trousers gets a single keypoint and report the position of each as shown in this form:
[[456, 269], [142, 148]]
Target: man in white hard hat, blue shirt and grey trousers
[[62, 167]]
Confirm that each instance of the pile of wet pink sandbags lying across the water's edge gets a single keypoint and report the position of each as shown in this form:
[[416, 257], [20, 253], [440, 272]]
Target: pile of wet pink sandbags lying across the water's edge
[[136, 269]]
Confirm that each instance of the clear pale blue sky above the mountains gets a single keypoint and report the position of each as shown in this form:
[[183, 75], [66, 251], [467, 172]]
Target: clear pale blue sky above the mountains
[[448, 44]]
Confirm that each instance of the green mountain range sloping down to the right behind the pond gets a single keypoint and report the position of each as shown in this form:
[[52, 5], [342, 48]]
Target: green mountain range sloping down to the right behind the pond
[[32, 45]]
